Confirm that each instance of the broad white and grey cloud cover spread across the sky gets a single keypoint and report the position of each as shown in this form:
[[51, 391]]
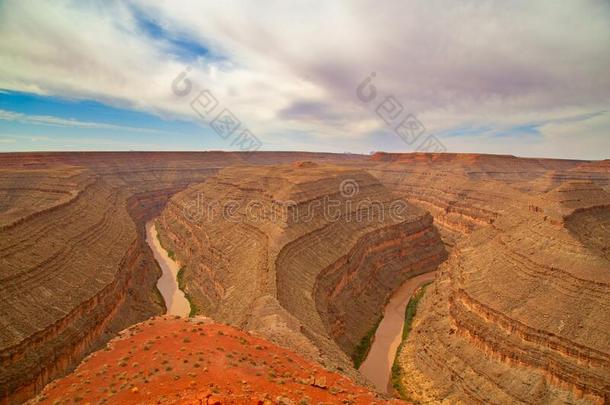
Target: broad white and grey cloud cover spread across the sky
[[291, 68]]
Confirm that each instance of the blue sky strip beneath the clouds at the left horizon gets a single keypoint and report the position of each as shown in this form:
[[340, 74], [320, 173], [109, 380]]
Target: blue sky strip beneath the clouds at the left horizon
[[34, 122]]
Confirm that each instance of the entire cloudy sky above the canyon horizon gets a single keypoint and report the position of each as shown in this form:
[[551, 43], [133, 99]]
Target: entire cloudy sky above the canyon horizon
[[528, 78]]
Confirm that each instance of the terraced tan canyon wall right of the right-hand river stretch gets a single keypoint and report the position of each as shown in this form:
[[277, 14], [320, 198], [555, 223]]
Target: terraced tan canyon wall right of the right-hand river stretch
[[520, 312]]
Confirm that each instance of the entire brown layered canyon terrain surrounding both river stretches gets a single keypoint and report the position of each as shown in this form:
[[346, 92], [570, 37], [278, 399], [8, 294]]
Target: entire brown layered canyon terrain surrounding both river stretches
[[304, 251]]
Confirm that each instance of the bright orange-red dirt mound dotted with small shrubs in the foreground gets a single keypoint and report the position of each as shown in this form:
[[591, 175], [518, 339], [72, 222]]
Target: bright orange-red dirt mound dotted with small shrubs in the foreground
[[167, 360]]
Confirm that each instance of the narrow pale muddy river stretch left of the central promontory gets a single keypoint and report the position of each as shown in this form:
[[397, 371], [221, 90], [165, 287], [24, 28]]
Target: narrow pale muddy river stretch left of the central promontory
[[175, 301]]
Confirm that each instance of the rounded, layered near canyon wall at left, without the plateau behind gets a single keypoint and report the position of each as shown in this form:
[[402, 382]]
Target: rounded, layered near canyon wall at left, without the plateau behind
[[58, 296]]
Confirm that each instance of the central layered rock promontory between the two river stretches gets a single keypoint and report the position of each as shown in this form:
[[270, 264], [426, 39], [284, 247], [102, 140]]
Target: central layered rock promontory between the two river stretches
[[306, 254]]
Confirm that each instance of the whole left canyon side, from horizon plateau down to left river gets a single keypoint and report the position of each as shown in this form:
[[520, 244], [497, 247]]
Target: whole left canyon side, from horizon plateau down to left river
[[74, 265]]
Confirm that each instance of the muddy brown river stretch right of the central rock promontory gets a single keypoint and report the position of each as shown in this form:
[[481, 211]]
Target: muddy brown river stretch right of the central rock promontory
[[377, 367]]
